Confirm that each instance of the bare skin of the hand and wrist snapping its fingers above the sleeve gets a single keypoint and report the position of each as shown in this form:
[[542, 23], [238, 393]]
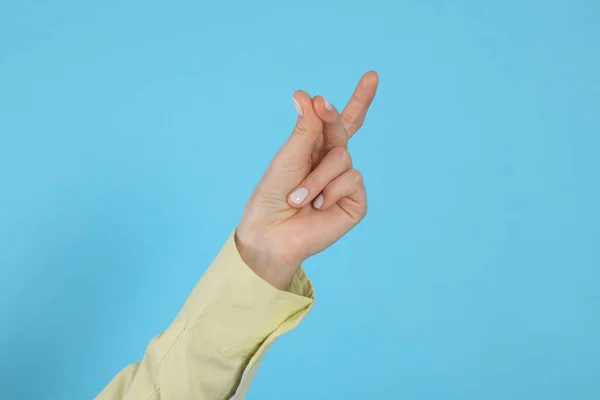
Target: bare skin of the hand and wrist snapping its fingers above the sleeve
[[275, 235]]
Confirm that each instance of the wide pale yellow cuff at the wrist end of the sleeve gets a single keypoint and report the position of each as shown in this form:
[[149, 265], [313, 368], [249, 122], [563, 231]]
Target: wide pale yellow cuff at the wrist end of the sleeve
[[237, 309]]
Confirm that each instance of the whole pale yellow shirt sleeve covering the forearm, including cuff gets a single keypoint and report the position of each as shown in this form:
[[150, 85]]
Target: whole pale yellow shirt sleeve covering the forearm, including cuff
[[213, 348]]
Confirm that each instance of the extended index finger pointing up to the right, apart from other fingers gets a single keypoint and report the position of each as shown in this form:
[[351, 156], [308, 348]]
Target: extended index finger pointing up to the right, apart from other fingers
[[354, 114]]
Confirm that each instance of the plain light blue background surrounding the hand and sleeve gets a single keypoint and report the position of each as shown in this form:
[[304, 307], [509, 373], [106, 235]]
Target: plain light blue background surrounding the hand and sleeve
[[132, 133]]
